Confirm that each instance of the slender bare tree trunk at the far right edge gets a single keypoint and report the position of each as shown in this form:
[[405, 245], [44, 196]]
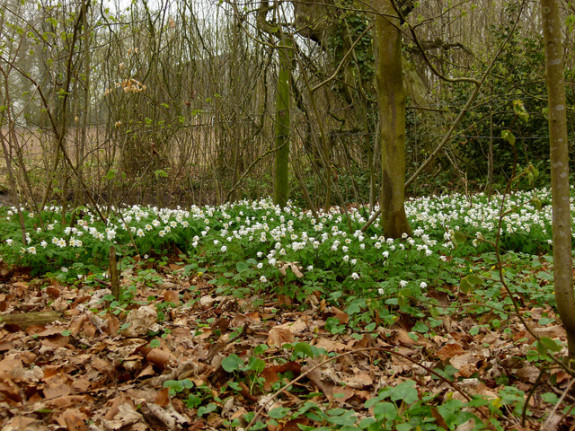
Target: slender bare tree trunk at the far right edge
[[562, 247]]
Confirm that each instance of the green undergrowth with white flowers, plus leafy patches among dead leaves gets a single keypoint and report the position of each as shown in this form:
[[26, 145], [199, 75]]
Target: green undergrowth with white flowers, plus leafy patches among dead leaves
[[447, 268]]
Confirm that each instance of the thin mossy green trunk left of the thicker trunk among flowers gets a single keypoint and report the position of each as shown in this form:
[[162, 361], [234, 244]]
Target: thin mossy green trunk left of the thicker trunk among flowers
[[281, 186]]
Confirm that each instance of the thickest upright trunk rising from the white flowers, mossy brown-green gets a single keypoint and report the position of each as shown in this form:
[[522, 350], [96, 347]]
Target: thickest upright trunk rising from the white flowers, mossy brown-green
[[391, 96]]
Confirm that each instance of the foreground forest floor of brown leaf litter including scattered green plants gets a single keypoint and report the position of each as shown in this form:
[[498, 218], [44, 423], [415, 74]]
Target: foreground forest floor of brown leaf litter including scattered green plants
[[182, 356]]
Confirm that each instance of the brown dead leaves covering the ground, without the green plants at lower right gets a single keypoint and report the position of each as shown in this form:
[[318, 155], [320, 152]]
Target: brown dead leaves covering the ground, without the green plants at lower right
[[93, 368]]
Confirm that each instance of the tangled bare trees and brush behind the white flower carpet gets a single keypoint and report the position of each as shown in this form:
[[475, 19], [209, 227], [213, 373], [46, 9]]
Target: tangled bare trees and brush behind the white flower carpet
[[174, 102]]
